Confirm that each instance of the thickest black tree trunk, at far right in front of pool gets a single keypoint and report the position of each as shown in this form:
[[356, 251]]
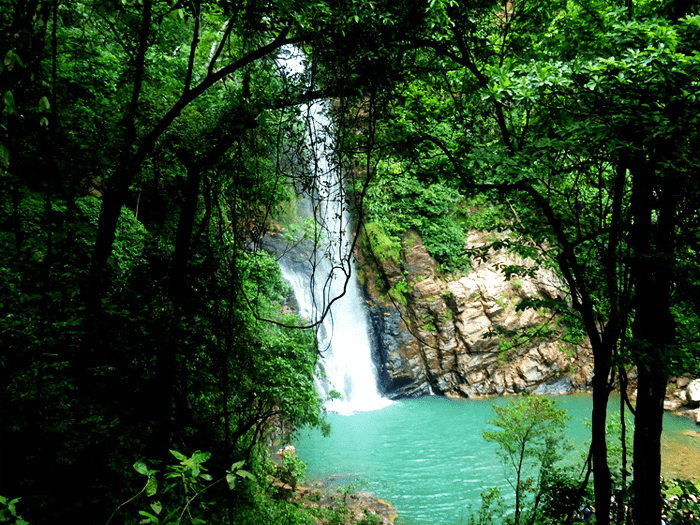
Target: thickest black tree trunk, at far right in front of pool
[[653, 329]]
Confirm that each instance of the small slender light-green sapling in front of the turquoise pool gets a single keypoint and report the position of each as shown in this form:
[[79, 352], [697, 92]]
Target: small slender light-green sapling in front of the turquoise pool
[[529, 437]]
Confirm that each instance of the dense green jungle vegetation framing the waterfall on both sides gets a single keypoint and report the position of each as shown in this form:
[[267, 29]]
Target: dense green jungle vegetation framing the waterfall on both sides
[[148, 146]]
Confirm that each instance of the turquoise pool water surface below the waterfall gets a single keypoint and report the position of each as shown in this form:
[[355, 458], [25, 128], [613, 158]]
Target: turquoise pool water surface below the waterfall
[[428, 458]]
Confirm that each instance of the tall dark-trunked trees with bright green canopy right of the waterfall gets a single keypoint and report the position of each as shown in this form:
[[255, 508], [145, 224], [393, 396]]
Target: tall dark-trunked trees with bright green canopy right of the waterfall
[[583, 115]]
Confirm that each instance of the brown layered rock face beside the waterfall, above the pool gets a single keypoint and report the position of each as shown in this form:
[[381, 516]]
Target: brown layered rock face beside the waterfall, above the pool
[[464, 337]]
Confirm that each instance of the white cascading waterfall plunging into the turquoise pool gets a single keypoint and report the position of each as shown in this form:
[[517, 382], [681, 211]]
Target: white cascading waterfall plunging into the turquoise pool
[[322, 270]]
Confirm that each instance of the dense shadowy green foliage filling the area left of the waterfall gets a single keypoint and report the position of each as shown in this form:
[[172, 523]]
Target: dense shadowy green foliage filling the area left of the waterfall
[[137, 176]]
